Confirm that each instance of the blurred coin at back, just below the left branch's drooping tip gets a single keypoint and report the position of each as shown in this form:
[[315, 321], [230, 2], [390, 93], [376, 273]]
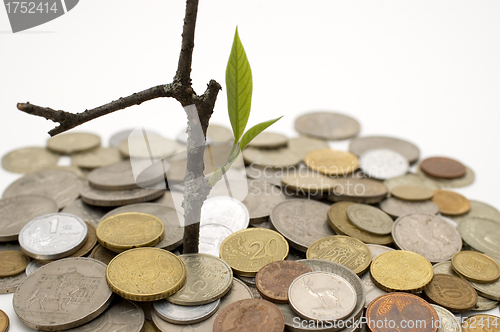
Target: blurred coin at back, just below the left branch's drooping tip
[[69, 143]]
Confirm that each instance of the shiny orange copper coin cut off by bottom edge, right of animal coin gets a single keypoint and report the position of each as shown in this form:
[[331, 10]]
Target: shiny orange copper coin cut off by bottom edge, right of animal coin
[[394, 311]]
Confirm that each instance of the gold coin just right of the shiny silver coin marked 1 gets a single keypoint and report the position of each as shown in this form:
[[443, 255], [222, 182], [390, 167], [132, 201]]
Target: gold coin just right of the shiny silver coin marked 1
[[129, 230]]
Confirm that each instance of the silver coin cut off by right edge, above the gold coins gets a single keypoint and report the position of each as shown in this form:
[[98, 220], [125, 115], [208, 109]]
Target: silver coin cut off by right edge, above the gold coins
[[481, 234]]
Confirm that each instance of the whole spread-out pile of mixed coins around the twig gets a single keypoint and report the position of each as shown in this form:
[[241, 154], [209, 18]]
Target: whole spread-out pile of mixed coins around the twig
[[313, 236]]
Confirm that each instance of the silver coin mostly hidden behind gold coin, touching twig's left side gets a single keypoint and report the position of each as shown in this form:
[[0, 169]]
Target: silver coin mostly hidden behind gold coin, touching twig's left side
[[172, 221]]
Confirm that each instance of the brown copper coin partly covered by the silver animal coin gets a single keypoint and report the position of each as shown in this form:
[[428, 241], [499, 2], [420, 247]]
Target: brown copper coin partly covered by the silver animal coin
[[274, 279]]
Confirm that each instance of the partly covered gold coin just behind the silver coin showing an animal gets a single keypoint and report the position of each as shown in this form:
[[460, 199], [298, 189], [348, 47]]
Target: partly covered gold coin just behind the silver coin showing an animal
[[345, 250]]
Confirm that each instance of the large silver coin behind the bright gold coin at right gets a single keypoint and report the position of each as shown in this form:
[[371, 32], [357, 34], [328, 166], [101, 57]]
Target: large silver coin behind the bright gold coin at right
[[428, 235]]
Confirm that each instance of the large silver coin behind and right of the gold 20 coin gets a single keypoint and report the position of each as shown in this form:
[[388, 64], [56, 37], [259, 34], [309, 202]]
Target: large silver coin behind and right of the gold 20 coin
[[301, 222]]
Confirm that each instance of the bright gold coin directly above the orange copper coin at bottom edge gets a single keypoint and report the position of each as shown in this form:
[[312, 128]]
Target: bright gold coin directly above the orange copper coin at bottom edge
[[401, 270]]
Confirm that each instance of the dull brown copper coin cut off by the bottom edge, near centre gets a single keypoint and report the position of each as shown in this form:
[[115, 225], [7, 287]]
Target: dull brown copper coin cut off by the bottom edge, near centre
[[250, 315]]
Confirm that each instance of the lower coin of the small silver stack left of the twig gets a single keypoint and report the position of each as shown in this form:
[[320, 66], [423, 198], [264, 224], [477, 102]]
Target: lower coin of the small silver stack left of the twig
[[98, 197]]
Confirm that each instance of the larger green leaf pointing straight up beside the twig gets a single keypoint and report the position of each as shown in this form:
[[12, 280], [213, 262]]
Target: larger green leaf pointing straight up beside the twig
[[239, 87]]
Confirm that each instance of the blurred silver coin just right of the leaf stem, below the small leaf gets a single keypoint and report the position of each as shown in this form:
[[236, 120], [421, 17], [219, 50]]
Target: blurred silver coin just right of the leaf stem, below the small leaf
[[282, 157]]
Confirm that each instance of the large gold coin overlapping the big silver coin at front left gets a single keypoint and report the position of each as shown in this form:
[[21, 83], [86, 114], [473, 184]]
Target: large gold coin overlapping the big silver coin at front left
[[145, 274]]
